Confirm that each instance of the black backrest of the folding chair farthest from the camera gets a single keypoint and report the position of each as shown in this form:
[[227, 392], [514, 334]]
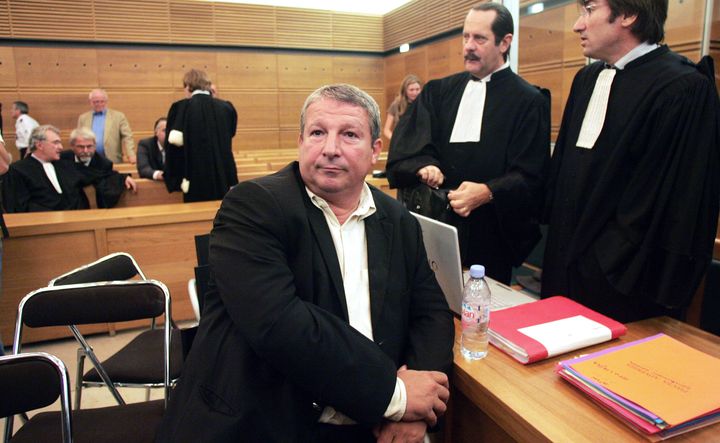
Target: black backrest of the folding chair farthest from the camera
[[113, 267]]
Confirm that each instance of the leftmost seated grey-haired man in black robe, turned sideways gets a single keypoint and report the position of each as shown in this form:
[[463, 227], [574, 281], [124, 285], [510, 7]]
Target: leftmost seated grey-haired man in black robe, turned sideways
[[43, 182]]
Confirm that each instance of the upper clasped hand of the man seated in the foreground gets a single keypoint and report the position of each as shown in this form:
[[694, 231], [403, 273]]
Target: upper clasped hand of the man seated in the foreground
[[427, 395]]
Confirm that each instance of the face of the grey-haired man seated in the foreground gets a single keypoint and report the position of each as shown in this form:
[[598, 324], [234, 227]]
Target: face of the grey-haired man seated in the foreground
[[336, 149]]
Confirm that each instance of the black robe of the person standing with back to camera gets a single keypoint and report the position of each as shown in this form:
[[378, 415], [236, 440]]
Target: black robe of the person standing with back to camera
[[206, 159]]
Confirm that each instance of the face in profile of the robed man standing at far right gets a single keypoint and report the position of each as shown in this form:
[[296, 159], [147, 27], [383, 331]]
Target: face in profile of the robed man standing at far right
[[600, 39]]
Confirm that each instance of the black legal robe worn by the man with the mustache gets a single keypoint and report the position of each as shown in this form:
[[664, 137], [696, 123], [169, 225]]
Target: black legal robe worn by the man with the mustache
[[511, 158]]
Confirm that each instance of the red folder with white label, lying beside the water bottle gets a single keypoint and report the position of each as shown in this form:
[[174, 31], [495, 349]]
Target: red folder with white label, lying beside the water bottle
[[559, 325]]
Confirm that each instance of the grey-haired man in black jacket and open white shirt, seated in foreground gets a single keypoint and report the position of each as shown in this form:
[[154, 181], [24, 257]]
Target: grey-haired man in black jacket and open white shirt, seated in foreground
[[324, 322]]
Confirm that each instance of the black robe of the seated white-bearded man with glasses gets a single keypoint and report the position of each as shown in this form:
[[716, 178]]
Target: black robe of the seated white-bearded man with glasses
[[109, 184]]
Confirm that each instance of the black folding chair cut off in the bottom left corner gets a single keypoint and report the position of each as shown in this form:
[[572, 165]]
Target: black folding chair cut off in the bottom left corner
[[35, 380]]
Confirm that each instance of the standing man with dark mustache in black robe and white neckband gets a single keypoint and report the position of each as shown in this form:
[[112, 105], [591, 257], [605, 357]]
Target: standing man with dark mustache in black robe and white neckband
[[485, 135]]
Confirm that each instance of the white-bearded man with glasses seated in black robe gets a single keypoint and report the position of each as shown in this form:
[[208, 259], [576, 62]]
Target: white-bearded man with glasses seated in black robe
[[109, 184]]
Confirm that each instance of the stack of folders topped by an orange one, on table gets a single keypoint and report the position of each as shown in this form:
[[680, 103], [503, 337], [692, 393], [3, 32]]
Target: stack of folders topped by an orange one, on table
[[657, 385]]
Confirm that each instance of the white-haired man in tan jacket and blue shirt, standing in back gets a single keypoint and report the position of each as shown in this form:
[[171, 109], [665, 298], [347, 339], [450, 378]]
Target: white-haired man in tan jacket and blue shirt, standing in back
[[114, 136]]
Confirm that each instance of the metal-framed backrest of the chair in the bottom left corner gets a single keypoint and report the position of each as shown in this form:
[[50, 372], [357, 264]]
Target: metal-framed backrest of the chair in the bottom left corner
[[32, 381]]
